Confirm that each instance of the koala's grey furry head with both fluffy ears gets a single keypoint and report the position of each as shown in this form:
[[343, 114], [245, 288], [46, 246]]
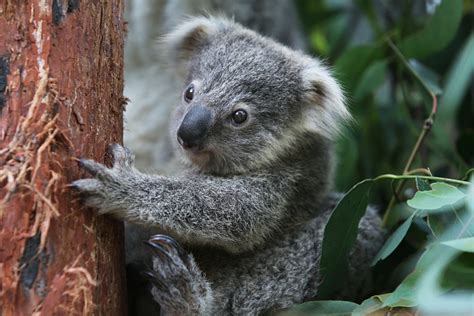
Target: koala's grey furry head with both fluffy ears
[[247, 100]]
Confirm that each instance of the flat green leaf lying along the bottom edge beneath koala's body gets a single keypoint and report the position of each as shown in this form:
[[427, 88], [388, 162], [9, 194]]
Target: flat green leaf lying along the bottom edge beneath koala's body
[[320, 308]]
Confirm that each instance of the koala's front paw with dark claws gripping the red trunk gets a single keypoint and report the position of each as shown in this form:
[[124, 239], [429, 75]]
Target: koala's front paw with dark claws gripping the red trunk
[[107, 191]]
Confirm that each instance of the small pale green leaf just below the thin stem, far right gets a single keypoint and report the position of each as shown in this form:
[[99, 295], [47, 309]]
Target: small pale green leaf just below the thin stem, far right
[[441, 195]]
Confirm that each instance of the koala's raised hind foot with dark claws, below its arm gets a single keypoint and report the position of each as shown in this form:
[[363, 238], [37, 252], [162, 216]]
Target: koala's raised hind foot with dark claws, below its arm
[[179, 286]]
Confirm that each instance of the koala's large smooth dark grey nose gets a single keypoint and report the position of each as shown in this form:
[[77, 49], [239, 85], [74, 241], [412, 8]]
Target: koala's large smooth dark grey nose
[[194, 127]]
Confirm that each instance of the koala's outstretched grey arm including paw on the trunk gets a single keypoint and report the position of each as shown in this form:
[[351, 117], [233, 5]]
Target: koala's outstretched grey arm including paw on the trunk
[[238, 211]]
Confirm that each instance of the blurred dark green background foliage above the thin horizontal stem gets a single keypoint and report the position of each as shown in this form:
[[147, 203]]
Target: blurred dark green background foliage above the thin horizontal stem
[[388, 103]]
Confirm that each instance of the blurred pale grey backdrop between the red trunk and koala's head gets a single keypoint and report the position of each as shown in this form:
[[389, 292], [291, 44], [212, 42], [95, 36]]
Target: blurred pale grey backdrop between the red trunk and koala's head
[[151, 86]]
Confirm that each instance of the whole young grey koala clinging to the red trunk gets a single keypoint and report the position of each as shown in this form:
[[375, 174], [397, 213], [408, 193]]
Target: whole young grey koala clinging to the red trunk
[[241, 227]]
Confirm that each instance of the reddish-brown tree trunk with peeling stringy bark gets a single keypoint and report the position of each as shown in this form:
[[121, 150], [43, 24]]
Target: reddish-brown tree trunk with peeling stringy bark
[[61, 82]]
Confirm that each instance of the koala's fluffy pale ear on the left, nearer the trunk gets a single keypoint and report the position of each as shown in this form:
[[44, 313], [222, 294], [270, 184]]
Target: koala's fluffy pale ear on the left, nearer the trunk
[[186, 39]]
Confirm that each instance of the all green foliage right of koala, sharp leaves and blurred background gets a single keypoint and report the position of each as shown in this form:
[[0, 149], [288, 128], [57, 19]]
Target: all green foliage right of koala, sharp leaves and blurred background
[[407, 68]]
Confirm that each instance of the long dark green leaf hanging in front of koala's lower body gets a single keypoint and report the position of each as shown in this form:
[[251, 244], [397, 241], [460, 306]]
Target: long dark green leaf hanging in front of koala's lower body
[[340, 234]]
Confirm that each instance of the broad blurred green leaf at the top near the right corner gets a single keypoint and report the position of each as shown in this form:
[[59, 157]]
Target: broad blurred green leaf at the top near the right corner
[[437, 33]]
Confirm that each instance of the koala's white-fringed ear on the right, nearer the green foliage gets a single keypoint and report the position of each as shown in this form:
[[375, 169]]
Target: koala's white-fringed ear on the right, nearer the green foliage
[[325, 105]]
